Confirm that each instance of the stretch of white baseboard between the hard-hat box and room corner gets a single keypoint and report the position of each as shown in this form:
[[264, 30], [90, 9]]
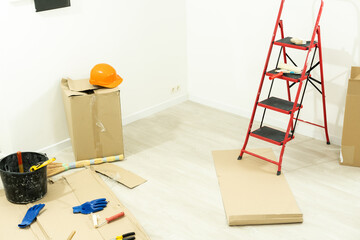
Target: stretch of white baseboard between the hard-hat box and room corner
[[154, 109]]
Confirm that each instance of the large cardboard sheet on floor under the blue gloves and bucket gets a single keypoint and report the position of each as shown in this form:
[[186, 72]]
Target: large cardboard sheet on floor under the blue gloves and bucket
[[56, 220]]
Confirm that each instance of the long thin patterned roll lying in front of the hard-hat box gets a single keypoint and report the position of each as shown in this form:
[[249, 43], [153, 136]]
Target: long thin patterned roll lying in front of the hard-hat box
[[55, 168]]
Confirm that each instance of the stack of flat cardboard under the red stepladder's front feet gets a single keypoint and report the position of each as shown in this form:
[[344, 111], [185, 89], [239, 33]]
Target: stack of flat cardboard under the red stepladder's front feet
[[252, 193]]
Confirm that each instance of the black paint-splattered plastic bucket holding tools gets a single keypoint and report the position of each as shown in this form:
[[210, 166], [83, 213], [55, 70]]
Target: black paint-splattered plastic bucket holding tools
[[23, 187]]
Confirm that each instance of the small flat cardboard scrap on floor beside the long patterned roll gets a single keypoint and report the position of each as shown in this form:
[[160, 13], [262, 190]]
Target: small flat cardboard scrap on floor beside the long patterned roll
[[119, 174]]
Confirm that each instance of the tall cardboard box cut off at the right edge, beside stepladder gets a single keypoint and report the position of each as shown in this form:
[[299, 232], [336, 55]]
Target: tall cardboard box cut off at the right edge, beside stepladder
[[350, 144]]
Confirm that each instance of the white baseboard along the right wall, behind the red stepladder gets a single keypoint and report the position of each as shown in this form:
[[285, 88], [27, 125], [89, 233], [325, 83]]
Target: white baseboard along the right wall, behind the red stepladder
[[303, 129]]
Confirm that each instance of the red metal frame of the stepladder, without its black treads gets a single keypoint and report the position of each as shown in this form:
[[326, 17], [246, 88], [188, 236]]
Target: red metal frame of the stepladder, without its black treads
[[287, 137]]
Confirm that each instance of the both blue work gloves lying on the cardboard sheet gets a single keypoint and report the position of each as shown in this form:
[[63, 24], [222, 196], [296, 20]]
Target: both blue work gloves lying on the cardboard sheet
[[85, 208]]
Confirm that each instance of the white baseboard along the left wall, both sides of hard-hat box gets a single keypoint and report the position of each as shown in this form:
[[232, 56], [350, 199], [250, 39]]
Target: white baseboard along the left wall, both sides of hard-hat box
[[54, 148]]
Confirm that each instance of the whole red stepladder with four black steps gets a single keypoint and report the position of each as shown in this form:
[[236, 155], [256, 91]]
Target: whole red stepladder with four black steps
[[289, 106]]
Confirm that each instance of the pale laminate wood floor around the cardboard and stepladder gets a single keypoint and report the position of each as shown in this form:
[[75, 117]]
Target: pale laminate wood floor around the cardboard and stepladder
[[181, 199]]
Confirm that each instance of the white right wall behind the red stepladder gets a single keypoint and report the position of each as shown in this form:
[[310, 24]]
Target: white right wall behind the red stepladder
[[228, 42]]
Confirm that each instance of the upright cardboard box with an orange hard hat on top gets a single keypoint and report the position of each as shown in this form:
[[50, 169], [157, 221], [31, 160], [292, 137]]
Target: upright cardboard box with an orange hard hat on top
[[94, 119]]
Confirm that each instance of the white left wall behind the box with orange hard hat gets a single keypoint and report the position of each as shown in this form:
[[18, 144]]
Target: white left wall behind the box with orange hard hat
[[145, 41]]
